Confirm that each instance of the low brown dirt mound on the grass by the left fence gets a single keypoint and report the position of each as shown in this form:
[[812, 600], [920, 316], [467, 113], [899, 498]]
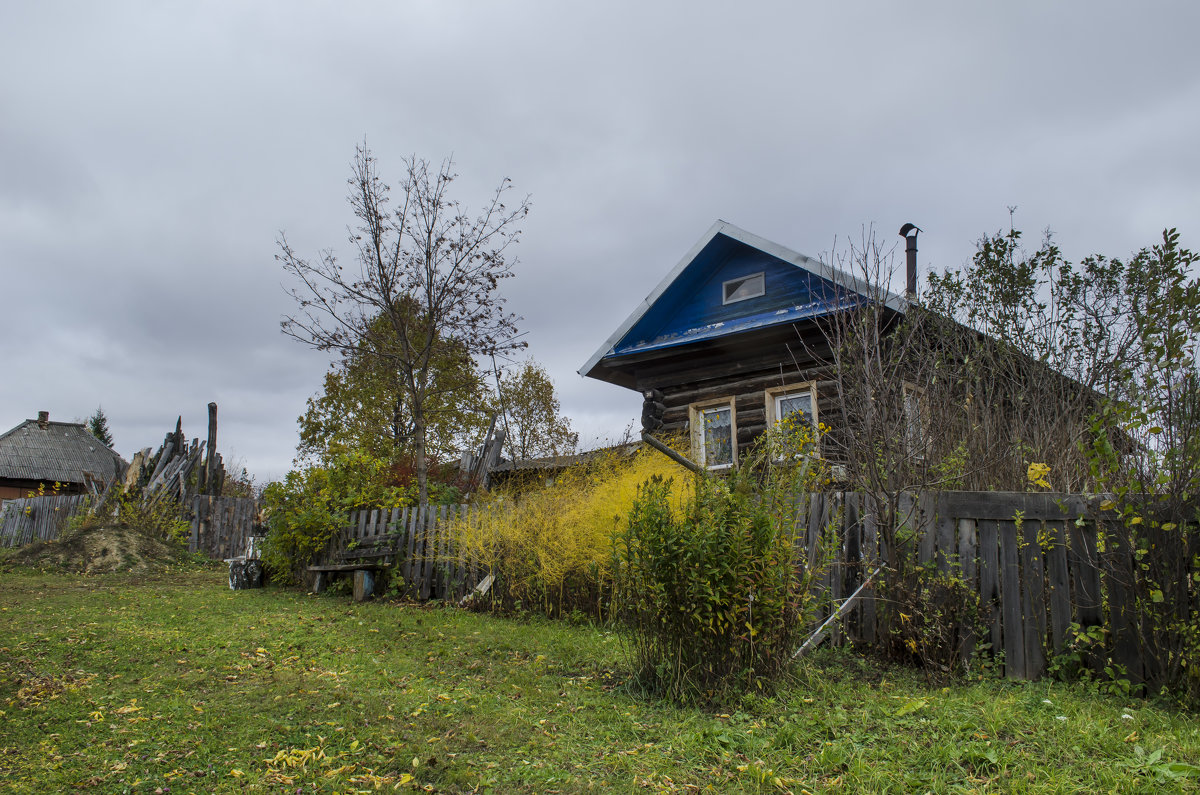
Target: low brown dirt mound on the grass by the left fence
[[103, 551]]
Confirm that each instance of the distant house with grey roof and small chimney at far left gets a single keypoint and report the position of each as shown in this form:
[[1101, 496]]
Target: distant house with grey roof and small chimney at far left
[[58, 458]]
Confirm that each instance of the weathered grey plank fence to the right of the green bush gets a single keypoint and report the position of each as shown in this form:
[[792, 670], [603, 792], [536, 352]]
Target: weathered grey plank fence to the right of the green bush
[[1039, 563]]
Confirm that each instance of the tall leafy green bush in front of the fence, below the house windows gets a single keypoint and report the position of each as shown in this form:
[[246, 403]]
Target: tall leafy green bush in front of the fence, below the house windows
[[713, 594]]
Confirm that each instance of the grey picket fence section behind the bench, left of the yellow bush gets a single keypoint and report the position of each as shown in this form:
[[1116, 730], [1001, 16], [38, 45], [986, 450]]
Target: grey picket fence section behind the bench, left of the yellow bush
[[429, 560]]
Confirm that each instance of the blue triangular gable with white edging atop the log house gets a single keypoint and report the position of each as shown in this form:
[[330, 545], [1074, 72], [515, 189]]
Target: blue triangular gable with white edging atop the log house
[[688, 307]]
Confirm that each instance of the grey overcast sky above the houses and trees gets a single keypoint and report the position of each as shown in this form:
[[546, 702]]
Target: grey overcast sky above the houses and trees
[[151, 154]]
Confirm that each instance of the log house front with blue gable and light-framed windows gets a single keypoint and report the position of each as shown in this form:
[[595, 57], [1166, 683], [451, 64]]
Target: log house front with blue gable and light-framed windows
[[733, 339]]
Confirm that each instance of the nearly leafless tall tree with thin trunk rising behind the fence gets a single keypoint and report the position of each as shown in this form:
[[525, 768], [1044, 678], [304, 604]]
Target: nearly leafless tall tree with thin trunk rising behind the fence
[[427, 267]]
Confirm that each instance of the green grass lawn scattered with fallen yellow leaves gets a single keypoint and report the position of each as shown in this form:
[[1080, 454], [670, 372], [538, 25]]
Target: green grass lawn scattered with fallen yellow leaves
[[176, 684]]
